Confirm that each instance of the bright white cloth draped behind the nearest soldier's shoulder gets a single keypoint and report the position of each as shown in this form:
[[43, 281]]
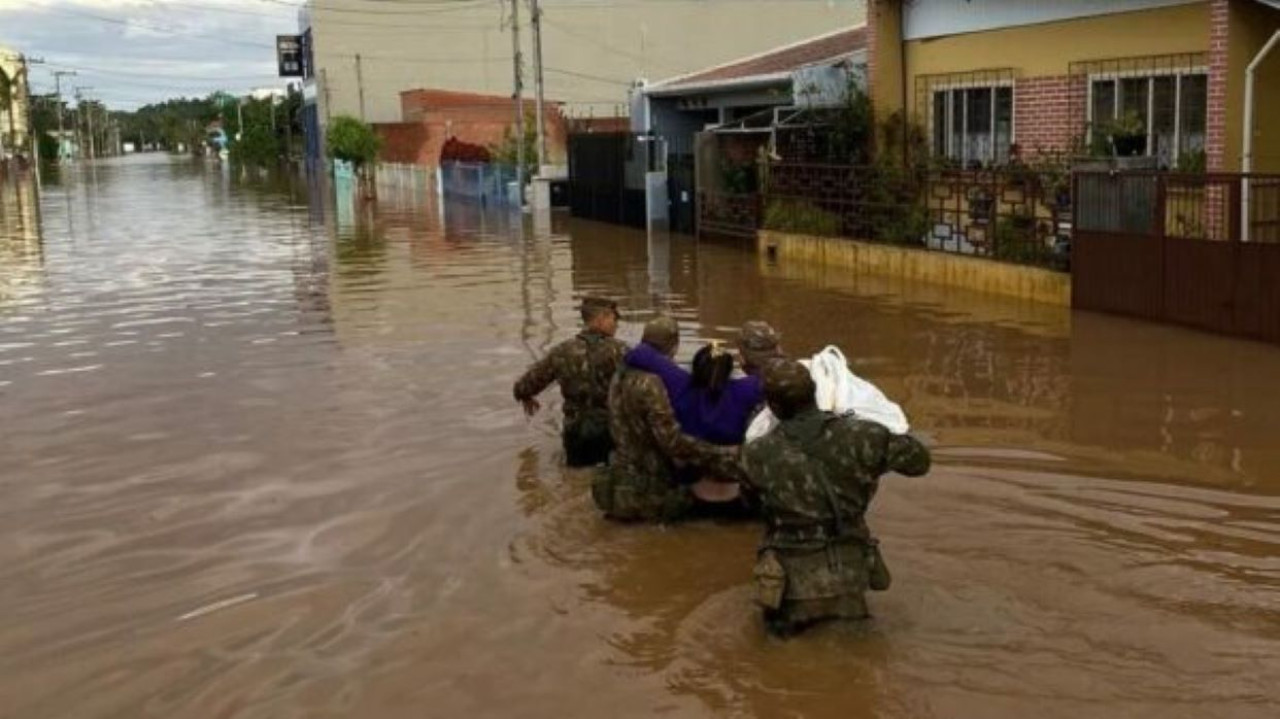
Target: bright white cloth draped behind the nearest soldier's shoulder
[[843, 392]]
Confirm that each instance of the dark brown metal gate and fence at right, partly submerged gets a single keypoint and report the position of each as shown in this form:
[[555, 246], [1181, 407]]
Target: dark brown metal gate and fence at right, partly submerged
[[1200, 250]]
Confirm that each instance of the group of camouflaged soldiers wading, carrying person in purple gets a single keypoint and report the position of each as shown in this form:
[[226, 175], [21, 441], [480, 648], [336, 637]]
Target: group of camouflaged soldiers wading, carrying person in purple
[[673, 446]]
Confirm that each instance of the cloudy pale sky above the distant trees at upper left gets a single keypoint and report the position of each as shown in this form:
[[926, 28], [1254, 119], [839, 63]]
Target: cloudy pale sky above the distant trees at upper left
[[138, 52]]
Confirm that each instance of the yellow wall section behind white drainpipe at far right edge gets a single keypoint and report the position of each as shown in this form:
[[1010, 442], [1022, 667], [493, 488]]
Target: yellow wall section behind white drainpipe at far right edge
[[1251, 25]]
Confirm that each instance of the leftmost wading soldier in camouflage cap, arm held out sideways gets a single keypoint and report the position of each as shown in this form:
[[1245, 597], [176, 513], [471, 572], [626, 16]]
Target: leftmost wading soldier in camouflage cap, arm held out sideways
[[584, 368]]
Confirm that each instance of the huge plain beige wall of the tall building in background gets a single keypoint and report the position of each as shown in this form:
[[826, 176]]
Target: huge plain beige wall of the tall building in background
[[593, 51]]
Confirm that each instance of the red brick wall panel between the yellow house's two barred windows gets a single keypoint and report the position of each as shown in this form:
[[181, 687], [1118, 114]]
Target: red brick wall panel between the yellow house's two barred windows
[[1048, 113]]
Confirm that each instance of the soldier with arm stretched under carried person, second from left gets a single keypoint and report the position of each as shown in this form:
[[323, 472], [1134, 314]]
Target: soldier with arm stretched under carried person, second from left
[[641, 480]]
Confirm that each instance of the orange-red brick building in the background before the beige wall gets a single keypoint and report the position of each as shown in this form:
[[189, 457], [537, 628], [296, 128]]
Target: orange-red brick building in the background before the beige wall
[[429, 118]]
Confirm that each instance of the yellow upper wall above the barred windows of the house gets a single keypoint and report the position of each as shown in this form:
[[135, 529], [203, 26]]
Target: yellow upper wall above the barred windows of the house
[[1048, 51]]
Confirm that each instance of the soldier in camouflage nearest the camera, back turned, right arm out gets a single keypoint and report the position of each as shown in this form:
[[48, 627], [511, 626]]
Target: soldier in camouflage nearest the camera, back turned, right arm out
[[817, 475]]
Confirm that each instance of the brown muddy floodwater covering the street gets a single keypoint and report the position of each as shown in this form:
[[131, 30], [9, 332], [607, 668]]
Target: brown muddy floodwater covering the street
[[259, 459]]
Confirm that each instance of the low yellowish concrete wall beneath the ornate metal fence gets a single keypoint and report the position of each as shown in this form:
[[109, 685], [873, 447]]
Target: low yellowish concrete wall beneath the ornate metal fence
[[921, 267]]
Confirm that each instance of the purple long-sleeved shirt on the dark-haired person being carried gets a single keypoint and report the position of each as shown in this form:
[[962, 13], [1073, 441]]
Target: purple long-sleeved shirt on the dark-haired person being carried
[[719, 420]]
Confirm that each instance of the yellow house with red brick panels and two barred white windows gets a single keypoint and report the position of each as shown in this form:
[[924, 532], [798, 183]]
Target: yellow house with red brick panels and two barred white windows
[[981, 77]]
